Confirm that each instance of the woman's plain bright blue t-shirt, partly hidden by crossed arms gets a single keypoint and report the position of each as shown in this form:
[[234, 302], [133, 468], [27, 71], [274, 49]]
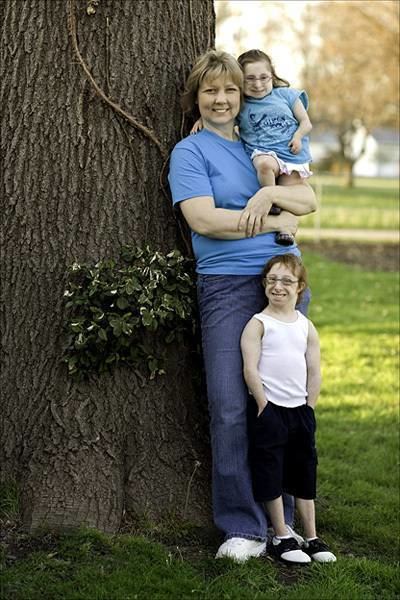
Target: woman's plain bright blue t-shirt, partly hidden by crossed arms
[[206, 164]]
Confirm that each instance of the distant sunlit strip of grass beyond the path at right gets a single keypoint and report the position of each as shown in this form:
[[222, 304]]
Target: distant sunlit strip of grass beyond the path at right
[[370, 204]]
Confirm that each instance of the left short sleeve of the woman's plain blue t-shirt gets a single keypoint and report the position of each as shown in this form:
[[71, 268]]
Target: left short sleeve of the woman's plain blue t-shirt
[[188, 176]]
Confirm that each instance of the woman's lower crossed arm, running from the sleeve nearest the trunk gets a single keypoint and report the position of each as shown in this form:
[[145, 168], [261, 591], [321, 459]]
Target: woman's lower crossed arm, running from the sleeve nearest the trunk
[[204, 218]]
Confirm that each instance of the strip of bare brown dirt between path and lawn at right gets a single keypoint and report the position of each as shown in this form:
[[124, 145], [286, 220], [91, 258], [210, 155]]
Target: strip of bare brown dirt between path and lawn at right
[[370, 256]]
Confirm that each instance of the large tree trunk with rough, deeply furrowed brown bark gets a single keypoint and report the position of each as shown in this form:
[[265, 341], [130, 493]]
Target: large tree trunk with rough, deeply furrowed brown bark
[[80, 181]]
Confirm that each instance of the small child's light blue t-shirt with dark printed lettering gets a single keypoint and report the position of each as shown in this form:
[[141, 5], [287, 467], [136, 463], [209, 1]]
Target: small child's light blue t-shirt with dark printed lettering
[[269, 124]]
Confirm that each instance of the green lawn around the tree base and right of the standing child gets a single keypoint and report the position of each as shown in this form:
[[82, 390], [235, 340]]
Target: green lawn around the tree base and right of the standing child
[[356, 313]]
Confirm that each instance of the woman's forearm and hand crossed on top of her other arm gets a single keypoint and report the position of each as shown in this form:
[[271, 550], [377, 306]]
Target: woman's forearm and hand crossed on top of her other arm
[[298, 199]]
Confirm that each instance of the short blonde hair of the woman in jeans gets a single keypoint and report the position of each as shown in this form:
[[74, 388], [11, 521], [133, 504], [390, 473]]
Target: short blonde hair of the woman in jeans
[[211, 65]]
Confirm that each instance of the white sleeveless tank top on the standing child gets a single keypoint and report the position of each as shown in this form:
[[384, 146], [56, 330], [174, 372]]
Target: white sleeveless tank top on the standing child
[[282, 366]]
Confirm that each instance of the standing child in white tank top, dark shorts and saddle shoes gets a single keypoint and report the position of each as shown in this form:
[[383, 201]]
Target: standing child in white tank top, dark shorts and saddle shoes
[[281, 362]]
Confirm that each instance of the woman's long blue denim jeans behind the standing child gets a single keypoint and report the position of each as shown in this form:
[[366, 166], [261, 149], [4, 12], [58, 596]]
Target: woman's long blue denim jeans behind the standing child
[[226, 304]]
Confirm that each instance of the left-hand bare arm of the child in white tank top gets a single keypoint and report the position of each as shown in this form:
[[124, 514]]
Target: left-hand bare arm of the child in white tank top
[[250, 344]]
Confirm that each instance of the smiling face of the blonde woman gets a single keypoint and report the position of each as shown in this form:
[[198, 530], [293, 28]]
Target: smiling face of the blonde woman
[[219, 102]]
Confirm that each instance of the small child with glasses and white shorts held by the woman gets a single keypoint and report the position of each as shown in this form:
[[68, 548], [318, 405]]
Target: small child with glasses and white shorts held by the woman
[[273, 125]]
